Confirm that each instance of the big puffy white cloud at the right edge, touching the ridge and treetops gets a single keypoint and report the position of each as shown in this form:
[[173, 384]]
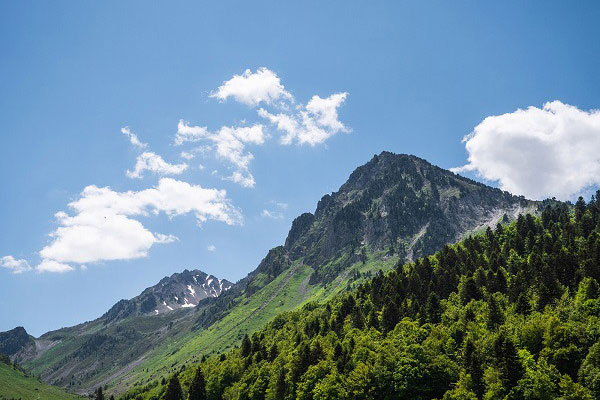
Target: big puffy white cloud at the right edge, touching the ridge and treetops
[[539, 153]]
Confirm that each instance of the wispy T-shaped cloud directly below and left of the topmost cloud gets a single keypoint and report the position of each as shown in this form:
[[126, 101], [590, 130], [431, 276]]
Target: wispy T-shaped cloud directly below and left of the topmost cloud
[[229, 144]]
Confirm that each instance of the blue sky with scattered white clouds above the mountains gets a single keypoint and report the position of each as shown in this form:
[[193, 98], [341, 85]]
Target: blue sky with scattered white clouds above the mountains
[[418, 77]]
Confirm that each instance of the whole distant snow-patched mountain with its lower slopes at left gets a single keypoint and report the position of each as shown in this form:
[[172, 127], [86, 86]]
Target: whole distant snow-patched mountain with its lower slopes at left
[[89, 352]]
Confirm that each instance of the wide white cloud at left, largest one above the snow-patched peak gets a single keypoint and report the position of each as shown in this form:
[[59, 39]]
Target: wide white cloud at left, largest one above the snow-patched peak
[[102, 229]]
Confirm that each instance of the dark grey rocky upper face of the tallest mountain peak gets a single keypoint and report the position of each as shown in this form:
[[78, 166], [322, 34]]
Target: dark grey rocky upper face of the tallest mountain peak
[[400, 204]]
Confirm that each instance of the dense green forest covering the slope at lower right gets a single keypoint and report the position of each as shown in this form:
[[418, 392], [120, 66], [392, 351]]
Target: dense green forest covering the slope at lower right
[[511, 313]]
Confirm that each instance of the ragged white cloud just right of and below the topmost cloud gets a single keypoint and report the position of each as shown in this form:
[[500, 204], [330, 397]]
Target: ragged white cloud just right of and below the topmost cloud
[[312, 124]]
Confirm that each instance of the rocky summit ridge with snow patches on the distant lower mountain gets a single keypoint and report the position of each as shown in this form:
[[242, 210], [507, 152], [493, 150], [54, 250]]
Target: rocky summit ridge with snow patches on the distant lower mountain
[[180, 290]]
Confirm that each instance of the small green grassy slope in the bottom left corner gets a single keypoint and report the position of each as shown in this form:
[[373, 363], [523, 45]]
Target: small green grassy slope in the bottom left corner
[[15, 384]]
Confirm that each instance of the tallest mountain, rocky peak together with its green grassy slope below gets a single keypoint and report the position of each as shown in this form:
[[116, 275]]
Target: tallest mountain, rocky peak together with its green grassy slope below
[[363, 227]]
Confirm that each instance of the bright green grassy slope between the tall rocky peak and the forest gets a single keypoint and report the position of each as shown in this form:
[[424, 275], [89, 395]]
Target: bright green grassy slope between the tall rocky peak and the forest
[[287, 292]]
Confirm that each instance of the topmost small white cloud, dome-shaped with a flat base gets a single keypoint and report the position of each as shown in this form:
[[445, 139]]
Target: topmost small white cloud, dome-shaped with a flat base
[[252, 88]]
